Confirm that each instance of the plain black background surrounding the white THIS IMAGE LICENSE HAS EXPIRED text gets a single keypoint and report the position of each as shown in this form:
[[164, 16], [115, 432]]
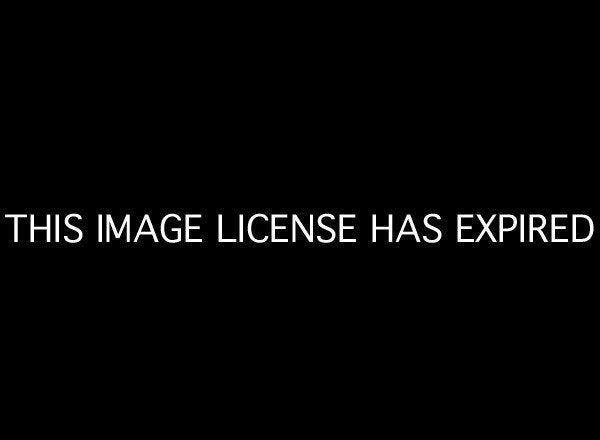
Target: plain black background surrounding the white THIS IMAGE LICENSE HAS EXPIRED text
[[368, 113]]
